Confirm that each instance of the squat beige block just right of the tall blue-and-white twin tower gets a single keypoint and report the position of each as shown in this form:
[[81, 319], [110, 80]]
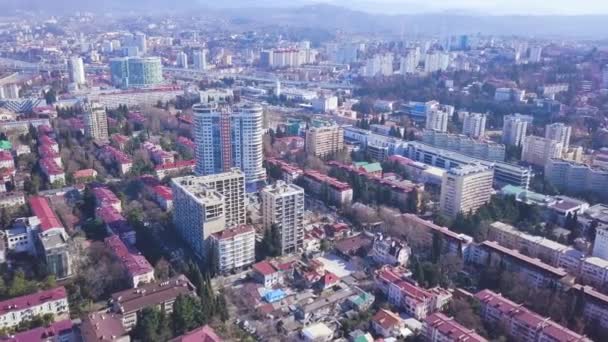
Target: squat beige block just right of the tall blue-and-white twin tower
[[324, 140]]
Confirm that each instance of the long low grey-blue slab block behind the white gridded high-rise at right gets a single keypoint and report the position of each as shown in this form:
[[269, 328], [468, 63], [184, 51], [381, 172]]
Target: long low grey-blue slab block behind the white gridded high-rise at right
[[487, 150]]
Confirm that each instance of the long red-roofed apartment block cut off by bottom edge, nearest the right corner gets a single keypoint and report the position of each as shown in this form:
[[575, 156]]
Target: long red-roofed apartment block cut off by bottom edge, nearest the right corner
[[520, 323]]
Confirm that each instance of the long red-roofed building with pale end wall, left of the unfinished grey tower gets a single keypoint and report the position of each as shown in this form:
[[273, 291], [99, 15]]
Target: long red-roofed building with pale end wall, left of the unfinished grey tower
[[137, 268]]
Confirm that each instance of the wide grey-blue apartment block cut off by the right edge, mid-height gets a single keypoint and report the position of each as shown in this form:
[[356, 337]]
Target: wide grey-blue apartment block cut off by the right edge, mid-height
[[576, 178]]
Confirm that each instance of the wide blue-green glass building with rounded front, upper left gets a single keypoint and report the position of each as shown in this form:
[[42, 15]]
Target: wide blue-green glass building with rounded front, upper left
[[136, 71]]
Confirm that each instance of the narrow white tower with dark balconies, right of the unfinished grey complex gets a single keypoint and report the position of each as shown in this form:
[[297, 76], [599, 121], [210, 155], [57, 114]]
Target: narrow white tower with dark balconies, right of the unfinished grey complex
[[283, 207]]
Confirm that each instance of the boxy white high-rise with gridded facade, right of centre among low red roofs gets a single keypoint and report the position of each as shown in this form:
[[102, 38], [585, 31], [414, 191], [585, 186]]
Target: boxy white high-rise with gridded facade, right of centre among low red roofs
[[465, 189]]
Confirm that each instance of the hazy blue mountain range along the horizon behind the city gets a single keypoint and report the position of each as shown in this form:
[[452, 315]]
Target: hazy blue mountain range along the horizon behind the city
[[300, 13]]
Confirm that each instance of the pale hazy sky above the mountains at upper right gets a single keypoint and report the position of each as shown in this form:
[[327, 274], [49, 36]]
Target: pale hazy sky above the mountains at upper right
[[566, 7]]
